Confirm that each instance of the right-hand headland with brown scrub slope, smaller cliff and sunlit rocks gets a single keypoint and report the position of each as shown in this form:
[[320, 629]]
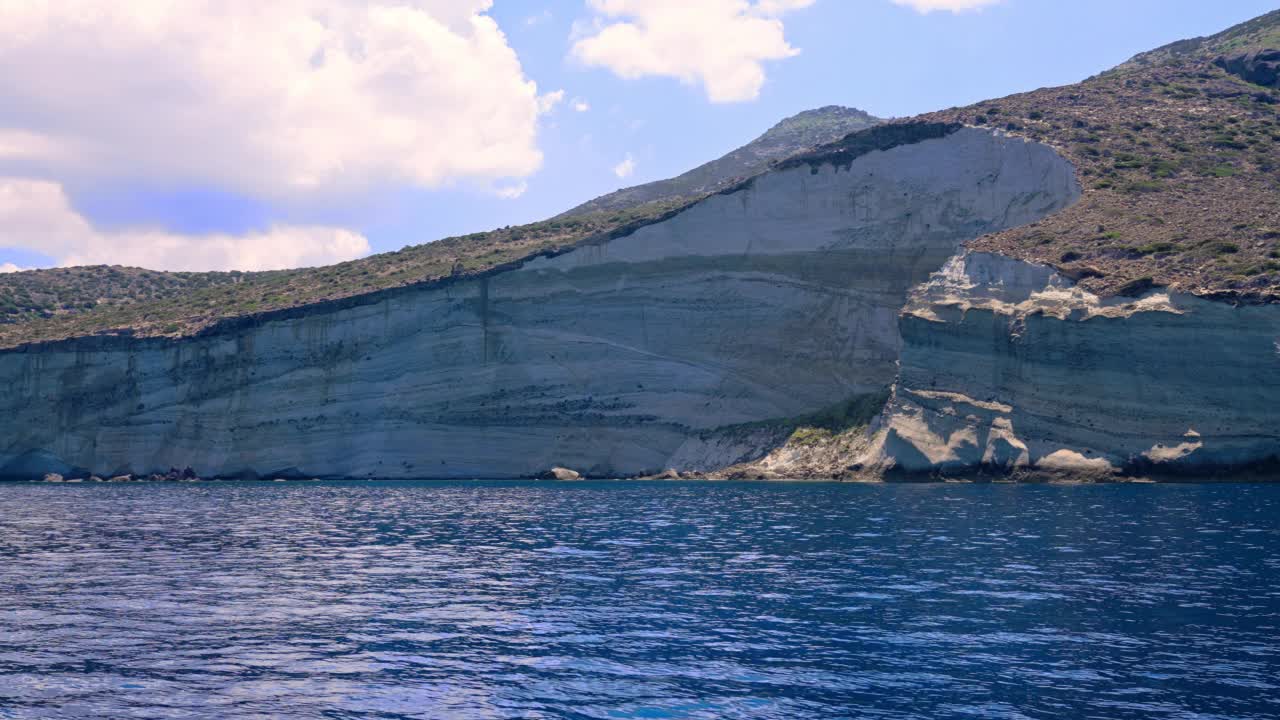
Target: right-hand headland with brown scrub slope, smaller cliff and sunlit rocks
[[1131, 335]]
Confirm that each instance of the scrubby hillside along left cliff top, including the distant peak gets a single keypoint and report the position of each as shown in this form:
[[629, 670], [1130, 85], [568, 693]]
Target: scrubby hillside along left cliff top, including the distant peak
[[48, 306]]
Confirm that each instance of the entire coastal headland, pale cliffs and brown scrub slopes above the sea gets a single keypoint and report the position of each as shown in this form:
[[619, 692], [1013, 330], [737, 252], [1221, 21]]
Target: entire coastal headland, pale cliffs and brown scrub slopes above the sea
[[1080, 281]]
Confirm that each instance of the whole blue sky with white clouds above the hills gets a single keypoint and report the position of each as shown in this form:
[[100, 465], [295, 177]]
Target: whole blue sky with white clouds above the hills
[[214, 135]]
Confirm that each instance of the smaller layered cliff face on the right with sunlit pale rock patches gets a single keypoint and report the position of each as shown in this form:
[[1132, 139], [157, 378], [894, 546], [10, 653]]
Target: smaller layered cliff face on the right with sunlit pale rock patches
[[1007, 366]]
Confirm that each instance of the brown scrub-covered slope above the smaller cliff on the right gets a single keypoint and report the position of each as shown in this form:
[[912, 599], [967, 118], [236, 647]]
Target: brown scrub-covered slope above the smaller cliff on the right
[[1181, 167]]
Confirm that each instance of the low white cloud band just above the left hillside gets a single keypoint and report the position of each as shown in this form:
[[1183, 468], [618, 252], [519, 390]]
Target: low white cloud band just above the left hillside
[[38, 216]]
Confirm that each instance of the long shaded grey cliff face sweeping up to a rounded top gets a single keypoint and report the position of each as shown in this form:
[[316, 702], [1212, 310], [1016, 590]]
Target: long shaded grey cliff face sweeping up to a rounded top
[[653, 350]]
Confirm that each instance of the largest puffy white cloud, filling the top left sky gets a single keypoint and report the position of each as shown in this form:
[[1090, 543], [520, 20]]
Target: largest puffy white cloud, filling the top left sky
[[272, 99]]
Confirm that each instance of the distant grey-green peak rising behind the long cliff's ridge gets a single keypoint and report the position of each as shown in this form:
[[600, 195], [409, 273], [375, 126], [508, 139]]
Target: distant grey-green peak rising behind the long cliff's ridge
[[798, 133]]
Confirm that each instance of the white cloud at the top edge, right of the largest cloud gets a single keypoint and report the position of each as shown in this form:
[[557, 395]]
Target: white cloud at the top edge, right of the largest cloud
[[721, 44]]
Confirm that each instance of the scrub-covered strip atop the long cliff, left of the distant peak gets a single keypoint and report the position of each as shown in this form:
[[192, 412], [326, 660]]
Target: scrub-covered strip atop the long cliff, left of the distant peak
[[51, 306]]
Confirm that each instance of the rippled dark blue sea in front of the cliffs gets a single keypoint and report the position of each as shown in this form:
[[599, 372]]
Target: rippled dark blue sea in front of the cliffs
[[639, 601]]
